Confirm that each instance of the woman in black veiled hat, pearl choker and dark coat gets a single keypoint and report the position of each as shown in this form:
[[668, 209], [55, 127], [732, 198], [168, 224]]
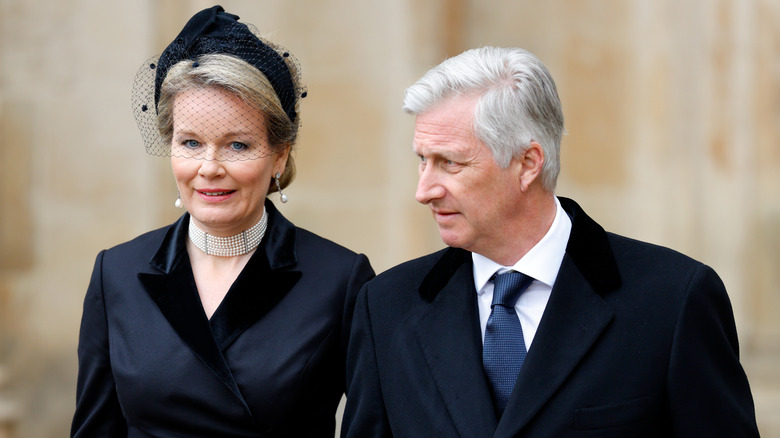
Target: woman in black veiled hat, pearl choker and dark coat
[[231, 322]]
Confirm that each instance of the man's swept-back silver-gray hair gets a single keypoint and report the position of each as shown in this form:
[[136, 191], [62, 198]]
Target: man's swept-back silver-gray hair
[[518, 102]]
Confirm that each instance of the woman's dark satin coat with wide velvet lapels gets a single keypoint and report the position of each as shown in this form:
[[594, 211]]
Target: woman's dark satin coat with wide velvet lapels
[[270, 361]]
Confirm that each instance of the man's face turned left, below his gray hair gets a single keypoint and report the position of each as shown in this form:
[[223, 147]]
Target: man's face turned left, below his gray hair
[[472, 199]]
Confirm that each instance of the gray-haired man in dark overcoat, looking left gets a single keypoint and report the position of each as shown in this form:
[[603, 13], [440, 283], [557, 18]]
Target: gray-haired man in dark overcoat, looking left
[[609, 337]]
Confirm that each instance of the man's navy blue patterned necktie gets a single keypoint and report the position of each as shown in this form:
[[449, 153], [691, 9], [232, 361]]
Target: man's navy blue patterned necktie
[[503, 350]]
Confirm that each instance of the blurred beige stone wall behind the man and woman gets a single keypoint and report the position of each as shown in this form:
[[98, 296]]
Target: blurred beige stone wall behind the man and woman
[[672, 110]]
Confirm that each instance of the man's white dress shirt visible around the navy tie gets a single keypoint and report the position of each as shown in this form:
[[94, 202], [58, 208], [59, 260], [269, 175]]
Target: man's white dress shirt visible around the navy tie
[[542, 263]]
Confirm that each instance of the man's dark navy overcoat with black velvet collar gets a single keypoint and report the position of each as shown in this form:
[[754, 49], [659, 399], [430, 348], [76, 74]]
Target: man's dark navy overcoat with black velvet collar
[[636, 341]]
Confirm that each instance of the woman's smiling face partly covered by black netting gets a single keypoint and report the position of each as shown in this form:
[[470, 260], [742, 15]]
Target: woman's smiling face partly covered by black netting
[[221, 159]]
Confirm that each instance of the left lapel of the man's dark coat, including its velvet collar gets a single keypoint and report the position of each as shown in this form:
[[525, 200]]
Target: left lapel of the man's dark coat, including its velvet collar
[[448, 334]]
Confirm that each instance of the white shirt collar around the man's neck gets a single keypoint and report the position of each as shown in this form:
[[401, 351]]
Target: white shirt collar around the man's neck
[[542, 262]]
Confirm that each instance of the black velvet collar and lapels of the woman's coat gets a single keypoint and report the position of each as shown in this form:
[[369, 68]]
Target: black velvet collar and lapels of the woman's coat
[[263, 282]]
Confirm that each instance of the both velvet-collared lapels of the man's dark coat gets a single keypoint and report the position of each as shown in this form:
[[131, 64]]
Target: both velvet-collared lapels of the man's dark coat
[[588, 272]]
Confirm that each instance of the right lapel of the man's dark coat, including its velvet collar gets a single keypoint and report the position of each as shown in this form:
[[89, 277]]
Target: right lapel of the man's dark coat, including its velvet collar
[[573, 320]]
